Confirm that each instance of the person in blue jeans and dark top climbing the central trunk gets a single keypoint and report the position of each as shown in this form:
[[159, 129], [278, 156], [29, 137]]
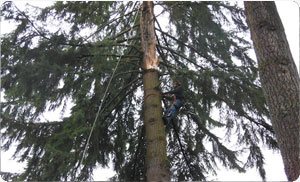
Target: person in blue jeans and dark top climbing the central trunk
[[176, 95]]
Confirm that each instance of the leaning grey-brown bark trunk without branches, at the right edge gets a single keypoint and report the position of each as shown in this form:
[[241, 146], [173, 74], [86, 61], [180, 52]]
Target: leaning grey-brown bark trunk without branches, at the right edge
[[279, 79]]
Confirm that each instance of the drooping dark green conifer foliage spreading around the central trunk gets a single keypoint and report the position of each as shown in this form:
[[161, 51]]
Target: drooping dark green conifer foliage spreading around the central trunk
[[65, 54]]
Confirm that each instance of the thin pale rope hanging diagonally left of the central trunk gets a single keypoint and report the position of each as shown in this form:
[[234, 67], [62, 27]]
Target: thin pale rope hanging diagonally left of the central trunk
[[105, 93]]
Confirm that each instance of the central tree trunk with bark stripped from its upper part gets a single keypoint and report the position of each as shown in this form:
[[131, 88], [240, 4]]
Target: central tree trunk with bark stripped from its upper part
[[156, 155]]
